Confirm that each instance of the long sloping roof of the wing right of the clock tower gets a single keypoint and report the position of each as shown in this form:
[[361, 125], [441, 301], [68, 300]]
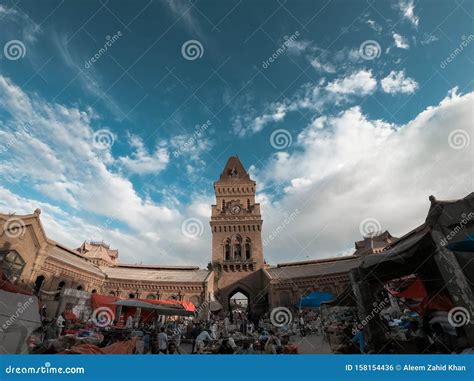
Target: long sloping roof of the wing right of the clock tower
[[313, 268]]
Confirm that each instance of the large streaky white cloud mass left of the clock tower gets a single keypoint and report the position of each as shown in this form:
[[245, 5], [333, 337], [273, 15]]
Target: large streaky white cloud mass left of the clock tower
[[50, 149]]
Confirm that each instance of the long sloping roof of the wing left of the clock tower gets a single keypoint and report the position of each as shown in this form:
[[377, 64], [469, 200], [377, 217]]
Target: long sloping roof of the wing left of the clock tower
[[154, 274]]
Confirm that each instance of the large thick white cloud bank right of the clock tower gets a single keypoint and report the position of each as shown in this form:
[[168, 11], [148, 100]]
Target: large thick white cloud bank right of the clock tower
[[349, 167]]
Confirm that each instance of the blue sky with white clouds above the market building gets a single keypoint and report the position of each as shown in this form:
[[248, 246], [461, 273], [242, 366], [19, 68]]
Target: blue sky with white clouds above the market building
[[116, 117]]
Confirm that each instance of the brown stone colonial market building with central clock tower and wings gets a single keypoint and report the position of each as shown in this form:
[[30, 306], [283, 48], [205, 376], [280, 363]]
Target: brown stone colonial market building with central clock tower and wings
[[30, 258]]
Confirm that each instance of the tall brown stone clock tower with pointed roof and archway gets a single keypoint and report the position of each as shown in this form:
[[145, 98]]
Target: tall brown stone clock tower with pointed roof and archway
[[236, 225]]
